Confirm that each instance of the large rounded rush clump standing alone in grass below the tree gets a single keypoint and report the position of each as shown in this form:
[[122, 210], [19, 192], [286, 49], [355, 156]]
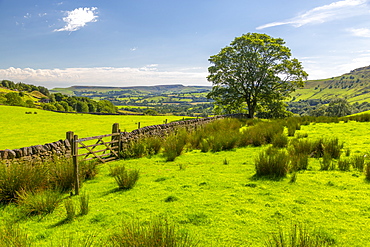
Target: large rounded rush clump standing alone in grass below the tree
[[274, 164]]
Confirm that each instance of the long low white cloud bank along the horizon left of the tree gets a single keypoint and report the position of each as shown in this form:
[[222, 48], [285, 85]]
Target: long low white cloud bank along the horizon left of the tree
[[105, 76]]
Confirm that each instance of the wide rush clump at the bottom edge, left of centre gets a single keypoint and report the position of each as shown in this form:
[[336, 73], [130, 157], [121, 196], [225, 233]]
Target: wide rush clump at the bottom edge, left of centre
[[157, 233]]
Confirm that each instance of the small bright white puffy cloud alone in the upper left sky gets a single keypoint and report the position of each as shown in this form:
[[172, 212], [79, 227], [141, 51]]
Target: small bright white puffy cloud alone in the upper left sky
[[78, 18]]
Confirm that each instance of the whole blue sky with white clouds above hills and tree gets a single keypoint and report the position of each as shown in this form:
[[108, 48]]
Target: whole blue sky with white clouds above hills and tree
[[147, 42]]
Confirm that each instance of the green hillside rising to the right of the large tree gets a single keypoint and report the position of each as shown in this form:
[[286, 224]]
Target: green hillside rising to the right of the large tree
[[354, 86]]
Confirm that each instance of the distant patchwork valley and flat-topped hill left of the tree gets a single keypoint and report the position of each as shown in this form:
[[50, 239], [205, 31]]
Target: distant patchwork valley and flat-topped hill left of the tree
[[160, 99]]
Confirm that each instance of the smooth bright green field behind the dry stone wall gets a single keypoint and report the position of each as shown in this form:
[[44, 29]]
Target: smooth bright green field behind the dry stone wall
[[18, 129]]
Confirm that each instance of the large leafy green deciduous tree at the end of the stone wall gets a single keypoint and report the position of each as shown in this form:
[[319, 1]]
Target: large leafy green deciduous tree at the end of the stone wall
[[255, 69]]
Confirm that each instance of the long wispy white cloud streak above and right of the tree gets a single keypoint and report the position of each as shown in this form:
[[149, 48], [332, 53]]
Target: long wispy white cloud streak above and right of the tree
[[336, 10]]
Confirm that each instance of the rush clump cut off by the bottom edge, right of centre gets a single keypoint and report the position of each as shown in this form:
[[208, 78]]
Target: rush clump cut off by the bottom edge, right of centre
[[300, 236]]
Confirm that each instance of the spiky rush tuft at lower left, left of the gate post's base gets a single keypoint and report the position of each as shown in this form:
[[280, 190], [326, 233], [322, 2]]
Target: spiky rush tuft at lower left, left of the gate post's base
[[39, 203]]
